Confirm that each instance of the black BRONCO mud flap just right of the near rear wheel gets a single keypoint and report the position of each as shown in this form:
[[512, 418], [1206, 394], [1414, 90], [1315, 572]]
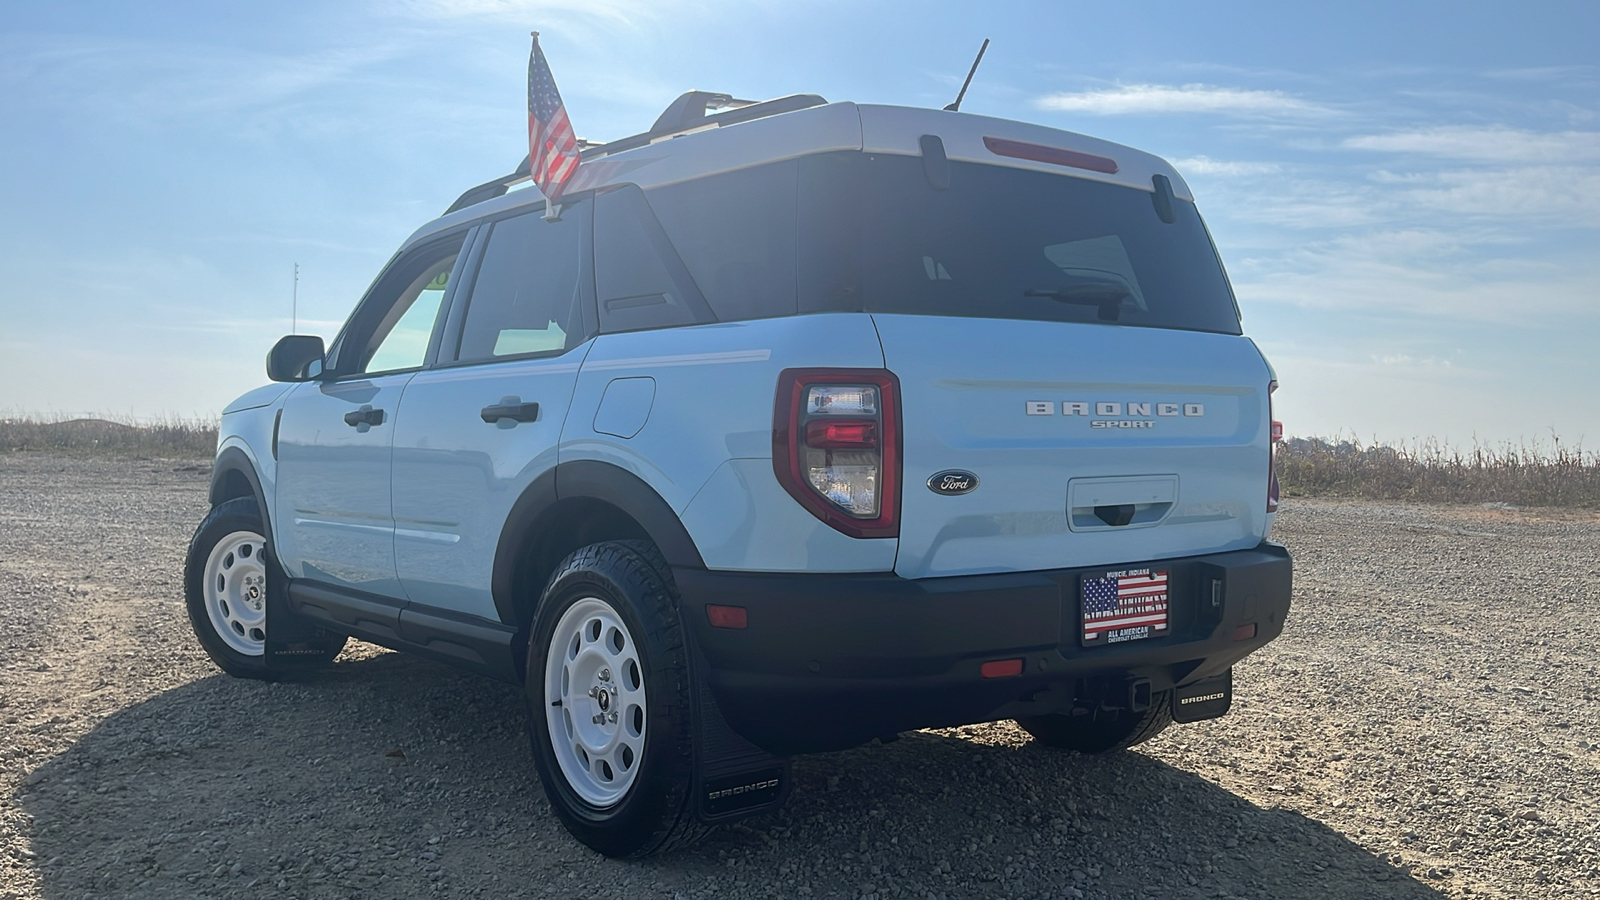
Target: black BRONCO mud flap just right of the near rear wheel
[[734, 779]]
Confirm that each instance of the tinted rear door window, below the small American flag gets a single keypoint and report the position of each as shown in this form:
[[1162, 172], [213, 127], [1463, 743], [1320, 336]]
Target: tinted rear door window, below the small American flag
[[526, 299]]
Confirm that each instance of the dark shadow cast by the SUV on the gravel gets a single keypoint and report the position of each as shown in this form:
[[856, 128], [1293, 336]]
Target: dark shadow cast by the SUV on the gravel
[[394, 777]]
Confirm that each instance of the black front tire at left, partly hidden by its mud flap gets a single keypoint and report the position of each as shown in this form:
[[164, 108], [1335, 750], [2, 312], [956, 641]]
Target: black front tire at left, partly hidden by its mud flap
[[225, 521]]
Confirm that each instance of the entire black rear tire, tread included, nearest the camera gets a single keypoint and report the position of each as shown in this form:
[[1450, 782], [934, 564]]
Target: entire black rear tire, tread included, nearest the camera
[[654, 814]]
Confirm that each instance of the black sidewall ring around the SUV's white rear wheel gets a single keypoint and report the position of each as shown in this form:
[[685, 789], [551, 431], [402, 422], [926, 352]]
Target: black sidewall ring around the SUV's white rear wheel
[[658, 795]]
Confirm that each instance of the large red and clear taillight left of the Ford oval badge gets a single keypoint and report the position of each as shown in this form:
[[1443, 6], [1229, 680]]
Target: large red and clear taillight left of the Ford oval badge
[[836, 448]]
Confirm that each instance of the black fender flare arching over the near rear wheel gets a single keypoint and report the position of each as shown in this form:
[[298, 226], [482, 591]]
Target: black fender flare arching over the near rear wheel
[[585, 480]]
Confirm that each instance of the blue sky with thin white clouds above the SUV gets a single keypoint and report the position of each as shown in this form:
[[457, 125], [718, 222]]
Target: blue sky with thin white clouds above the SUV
[[1407, 196]]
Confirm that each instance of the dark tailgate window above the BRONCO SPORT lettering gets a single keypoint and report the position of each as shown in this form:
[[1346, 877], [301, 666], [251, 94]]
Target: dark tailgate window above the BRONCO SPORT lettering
[[1010, 244]]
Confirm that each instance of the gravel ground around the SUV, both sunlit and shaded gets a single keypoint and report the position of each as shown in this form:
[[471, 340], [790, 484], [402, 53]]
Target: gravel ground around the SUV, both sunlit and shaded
[[1426, 728]]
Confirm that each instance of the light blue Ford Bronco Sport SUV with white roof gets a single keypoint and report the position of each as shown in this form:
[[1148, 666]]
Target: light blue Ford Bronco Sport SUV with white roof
[[798, 425]]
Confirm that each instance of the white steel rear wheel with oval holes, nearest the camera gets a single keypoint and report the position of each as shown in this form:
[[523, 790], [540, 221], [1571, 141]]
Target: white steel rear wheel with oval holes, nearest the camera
[[594, 702]]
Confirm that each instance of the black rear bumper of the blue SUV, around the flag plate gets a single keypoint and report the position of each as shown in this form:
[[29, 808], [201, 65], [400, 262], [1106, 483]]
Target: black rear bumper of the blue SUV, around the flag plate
[[836, 661]]
